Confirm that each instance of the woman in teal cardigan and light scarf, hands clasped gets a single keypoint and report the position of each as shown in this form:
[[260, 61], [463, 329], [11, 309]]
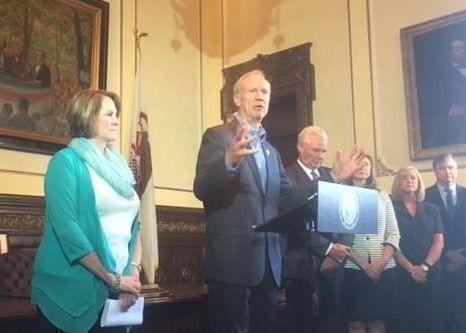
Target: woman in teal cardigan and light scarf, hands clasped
[[90, 249]]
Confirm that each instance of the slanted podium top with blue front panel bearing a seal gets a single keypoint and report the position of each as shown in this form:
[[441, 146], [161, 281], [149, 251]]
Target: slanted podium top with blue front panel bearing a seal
[[333, 208]]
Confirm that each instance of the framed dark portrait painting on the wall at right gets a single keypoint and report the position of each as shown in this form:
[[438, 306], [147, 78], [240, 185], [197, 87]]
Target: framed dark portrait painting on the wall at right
[[434, 66]]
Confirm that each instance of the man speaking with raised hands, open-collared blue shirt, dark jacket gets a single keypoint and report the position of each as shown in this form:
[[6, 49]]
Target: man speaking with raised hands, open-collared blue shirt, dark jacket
[[240, 179]]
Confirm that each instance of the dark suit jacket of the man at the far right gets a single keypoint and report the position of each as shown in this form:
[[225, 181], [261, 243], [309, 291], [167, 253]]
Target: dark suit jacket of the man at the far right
[[454, 221]]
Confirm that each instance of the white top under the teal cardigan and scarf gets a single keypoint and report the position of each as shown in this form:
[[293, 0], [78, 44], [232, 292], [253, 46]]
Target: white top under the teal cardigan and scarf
[[116, 215]]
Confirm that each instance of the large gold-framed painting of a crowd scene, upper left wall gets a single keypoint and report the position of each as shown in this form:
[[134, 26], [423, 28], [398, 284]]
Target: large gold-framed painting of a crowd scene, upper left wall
[[49, 49]]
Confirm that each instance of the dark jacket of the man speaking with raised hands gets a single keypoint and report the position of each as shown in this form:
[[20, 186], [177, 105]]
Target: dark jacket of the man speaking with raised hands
[[234, 201]]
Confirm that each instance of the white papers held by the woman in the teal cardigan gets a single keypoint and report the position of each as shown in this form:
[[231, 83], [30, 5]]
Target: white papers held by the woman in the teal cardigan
[[112, 315]]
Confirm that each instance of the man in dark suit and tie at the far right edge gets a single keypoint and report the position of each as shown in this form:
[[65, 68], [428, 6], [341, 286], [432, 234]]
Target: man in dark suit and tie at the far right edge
[[450, 197]]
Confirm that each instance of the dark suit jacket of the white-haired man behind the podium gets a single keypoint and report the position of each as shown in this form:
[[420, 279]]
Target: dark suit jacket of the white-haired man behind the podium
[[305, 250]]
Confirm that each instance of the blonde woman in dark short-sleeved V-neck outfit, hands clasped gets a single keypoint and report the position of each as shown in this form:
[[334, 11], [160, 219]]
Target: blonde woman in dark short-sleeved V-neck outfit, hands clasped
[[421, 246]]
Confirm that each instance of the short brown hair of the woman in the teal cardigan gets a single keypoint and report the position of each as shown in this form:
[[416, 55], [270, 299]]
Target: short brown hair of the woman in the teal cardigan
[[83, 108]]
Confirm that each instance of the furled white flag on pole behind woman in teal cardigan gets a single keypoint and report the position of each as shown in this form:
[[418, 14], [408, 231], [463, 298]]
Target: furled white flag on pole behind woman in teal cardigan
[[140, 163]]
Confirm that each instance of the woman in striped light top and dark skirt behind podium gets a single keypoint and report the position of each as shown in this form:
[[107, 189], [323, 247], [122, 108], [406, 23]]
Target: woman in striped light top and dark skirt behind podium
[[369, 282]]
